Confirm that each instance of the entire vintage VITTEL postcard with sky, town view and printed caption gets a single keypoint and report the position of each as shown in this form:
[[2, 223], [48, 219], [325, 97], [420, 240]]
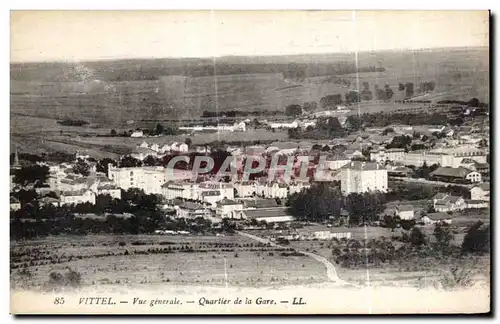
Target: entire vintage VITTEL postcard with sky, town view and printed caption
[[250, 162]]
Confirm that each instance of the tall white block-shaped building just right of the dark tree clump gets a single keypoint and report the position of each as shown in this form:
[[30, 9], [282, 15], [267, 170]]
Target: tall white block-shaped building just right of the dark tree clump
[[363, 177]]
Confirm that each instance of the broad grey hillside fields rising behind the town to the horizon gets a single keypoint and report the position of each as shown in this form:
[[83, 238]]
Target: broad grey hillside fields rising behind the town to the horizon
[[111, 91]]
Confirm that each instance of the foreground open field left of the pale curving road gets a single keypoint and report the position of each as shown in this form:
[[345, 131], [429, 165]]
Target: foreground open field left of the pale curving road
[[148, 259]]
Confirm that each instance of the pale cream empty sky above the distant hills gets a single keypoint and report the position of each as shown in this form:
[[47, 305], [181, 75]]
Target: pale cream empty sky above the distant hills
[[94, 35]]
